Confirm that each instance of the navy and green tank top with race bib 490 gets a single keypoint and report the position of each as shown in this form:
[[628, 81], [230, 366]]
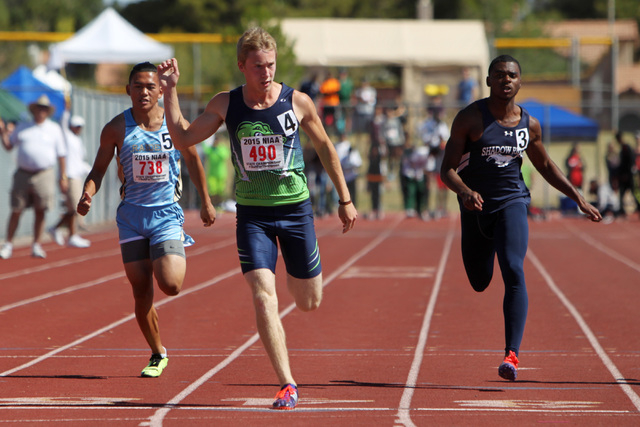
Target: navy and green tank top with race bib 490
[[266, 151]]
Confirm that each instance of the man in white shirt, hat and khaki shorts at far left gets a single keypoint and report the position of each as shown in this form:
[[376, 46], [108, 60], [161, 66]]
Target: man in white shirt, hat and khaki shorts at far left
[[40, 145]]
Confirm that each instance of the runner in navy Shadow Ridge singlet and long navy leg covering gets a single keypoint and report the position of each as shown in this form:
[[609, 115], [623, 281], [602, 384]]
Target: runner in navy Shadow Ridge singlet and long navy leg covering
[[482, 166]]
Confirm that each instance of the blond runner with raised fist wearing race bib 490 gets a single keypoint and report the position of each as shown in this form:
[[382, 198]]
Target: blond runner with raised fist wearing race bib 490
[[263, 118]]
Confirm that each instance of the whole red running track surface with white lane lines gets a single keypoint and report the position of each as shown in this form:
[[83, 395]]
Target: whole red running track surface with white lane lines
[[400, 338]]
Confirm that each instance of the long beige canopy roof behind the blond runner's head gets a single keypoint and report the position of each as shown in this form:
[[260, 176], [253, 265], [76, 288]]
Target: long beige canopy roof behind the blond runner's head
[[359, 42]]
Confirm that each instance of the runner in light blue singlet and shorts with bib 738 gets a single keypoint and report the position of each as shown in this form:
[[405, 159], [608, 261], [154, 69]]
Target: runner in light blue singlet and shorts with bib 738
[[149, 218]]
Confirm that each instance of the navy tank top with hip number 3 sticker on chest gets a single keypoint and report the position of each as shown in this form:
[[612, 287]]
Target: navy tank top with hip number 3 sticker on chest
[[491, 165]]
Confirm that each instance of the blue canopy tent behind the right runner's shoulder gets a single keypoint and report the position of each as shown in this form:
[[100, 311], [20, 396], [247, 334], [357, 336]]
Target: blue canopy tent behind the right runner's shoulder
[[561, 124]]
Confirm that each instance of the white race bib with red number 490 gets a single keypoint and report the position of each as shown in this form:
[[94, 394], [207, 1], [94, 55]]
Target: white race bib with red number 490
[[262, 152]]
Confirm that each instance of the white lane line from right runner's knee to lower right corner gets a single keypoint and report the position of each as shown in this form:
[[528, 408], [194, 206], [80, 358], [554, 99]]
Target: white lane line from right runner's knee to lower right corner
[[617, 375]]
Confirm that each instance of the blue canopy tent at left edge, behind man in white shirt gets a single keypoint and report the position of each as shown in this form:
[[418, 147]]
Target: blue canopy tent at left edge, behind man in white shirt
[[27, 88]]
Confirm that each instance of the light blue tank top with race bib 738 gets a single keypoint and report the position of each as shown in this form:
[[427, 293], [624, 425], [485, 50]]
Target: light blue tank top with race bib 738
[[151, 166]]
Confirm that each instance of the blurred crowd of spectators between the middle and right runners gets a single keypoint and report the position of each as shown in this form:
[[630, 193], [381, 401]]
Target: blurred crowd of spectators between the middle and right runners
[[378, 143]]
